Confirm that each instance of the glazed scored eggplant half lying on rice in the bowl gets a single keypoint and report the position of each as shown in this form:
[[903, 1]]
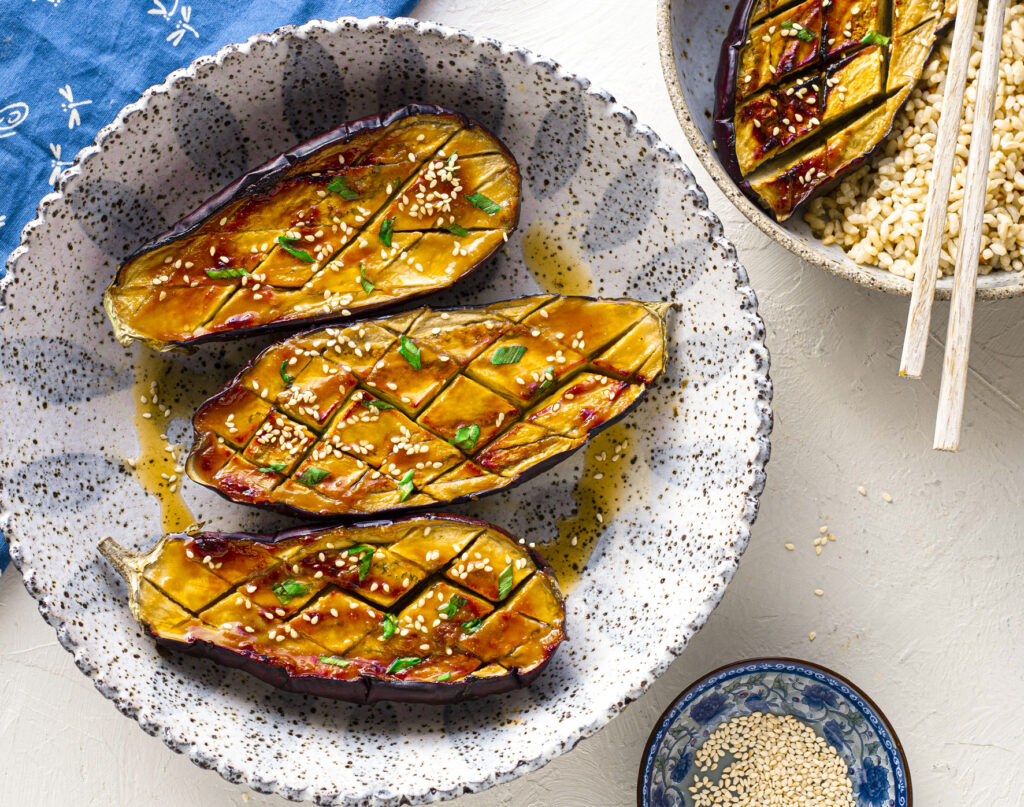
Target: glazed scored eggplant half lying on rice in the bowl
[[806, 92]]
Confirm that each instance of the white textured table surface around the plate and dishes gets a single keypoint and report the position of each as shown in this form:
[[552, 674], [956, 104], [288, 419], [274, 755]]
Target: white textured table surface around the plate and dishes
[[923, 598]]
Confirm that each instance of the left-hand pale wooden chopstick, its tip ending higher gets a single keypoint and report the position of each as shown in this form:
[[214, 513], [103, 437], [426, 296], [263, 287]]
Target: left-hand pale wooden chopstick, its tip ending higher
[[937, 206]]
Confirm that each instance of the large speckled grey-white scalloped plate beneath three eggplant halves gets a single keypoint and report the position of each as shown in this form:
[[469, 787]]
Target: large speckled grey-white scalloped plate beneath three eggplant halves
[[599, 187]]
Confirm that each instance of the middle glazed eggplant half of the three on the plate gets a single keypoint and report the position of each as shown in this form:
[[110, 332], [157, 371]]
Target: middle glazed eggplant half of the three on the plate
[[425, 408]]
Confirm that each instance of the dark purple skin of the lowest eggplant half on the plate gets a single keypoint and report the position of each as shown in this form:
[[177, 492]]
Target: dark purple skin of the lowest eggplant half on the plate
[[367, 690]]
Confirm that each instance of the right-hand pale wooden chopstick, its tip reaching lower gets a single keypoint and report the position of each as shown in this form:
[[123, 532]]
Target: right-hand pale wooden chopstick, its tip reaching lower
[[954, 387]]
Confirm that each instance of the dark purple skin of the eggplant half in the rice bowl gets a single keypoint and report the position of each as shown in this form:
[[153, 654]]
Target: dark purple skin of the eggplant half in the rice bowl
[[723, 126]]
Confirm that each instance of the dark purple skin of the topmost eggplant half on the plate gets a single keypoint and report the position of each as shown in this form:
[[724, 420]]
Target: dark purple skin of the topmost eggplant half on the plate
[[266, 177]]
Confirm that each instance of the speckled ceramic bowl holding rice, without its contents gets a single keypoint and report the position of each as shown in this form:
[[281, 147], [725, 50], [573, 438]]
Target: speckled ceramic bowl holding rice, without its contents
[[691, 35]]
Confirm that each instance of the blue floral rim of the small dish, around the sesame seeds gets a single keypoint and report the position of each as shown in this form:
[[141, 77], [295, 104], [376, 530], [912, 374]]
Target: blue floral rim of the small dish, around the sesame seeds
[[835, 708]]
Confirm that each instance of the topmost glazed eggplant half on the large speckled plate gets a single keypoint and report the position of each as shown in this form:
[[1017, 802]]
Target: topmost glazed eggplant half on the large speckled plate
[[366, 217]]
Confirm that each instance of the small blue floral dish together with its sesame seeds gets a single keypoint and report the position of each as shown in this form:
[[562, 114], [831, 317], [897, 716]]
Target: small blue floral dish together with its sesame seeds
[[774, 733]]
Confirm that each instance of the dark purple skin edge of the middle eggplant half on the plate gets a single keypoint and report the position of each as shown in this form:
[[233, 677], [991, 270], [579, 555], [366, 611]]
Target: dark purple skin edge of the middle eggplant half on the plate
[[411, 511]]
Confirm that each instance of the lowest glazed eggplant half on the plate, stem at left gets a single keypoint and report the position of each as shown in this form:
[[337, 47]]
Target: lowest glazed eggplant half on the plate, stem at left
[[437, 610]]
